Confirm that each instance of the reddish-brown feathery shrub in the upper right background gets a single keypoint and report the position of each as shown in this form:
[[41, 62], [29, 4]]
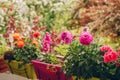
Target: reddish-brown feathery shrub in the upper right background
[[102, 17]]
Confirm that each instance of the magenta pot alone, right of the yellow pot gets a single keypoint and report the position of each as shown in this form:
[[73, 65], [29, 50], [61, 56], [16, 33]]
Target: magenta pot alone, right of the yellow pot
[[45, 71]]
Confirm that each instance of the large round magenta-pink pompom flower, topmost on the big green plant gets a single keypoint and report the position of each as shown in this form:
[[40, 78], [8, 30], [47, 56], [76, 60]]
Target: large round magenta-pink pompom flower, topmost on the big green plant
[[86, 38]]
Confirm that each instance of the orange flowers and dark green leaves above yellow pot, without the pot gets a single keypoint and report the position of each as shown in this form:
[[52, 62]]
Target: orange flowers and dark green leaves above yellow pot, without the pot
[[25, 48]]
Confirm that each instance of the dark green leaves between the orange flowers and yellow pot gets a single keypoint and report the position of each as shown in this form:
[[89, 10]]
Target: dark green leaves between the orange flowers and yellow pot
[[25, 54]]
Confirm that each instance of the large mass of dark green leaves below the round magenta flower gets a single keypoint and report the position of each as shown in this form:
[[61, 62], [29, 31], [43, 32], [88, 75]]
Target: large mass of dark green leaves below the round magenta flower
[[87, 62]]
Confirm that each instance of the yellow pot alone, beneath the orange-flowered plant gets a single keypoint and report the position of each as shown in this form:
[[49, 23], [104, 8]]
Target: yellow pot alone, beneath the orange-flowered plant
[[25, 70]]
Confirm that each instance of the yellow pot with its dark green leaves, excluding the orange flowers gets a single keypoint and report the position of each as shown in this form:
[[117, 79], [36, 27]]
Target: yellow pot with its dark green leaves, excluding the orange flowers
[[20, 64]]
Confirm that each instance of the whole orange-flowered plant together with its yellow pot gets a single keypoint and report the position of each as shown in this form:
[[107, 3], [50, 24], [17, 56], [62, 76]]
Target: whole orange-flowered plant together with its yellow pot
[[24, 50]]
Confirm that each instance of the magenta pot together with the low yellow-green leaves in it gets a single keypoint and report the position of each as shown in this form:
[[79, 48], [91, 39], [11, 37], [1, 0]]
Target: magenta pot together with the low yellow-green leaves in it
[[49, 67]]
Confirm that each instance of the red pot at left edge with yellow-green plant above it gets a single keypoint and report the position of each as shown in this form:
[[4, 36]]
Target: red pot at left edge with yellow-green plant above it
[[3, 48]]
